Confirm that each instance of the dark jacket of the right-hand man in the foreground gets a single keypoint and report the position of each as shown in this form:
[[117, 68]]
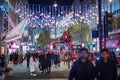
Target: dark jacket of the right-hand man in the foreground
[[106, 71]]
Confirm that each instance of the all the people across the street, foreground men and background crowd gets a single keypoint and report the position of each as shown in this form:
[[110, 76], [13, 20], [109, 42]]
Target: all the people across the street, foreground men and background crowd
[[86, 67]]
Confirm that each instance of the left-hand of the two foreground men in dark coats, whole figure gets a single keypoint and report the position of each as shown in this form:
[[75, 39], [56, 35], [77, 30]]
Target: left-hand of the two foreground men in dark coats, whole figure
[[82, 69]]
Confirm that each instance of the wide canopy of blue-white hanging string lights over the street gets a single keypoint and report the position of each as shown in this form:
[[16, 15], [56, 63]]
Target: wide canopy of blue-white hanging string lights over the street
[[45, 15]]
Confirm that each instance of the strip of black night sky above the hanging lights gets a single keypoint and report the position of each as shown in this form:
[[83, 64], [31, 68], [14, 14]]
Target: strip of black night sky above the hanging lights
[[51, 2]]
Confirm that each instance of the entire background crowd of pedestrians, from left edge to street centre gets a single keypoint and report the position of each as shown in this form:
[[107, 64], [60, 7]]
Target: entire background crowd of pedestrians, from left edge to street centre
[[42, 59]]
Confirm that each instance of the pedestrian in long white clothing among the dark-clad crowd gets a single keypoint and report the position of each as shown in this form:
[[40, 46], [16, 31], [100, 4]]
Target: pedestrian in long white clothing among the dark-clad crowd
[[32, 65]]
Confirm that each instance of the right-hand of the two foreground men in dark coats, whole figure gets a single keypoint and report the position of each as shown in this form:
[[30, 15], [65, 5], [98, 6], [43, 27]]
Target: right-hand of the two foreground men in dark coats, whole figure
[[106, 67]]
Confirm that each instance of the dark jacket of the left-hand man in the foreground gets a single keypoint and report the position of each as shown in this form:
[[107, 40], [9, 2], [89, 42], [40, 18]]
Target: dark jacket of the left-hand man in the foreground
[[82, 70]]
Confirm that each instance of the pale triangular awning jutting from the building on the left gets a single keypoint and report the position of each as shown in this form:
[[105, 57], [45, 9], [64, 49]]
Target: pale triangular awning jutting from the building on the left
[[17, 31]]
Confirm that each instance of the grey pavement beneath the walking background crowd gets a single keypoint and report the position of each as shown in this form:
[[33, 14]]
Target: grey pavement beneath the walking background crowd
[[20, 72]]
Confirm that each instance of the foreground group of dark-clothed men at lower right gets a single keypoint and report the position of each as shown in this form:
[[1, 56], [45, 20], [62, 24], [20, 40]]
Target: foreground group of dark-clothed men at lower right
[[88, 68]]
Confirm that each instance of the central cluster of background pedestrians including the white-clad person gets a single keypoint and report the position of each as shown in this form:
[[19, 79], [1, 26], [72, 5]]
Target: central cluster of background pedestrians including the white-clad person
[[45, 60]]
